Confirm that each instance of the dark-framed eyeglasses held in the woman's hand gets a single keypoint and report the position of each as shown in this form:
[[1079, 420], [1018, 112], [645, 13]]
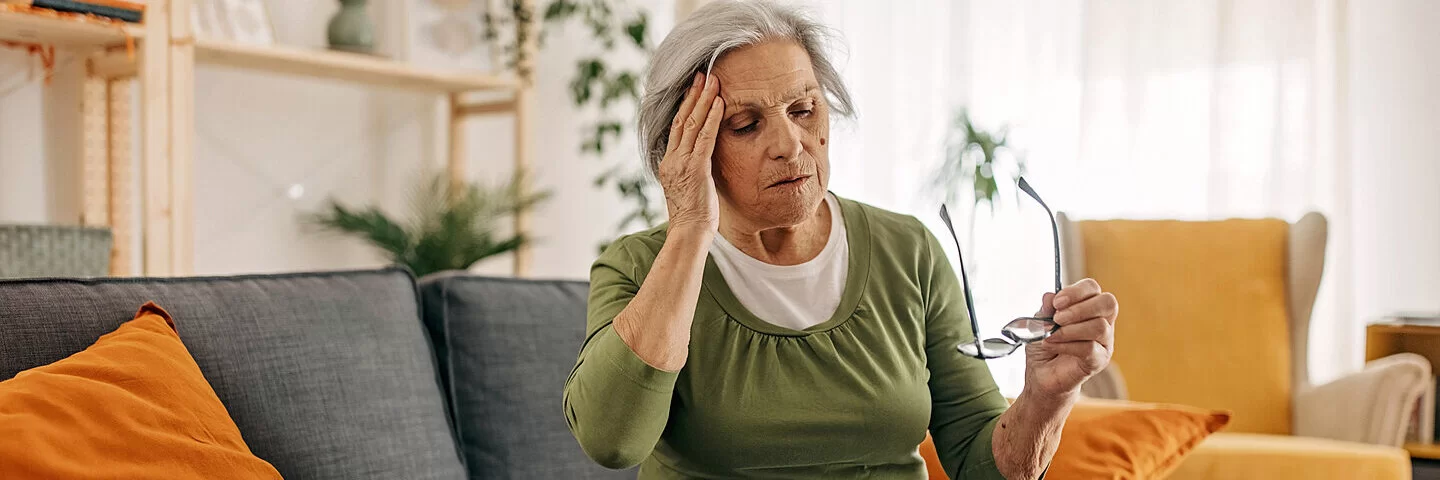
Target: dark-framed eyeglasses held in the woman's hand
[[1020, 331]]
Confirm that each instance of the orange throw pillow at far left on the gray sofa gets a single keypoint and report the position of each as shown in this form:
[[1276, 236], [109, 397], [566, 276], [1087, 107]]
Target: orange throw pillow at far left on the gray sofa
[[133, 406]]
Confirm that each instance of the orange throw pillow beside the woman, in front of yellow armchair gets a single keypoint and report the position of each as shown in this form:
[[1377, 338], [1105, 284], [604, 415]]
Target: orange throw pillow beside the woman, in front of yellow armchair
[[1120, 440]]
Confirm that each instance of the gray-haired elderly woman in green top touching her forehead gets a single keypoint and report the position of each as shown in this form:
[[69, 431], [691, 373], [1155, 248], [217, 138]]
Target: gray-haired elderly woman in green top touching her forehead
[[773, 329]]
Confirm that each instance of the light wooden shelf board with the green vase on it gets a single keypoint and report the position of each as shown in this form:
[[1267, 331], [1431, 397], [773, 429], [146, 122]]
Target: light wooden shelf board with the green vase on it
[[345, 67]]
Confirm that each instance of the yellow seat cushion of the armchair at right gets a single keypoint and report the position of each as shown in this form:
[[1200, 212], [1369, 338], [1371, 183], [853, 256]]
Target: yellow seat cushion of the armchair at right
[[1278, 458]]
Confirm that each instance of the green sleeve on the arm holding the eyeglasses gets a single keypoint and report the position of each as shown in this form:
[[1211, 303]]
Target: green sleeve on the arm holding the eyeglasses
[[966, 401]]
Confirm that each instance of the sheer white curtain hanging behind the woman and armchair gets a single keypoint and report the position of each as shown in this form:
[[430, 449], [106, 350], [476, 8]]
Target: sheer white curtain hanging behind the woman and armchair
[[1121, 109]]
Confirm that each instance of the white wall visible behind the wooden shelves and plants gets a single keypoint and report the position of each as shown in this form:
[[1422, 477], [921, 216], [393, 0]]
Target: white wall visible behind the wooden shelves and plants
[[258, 135]]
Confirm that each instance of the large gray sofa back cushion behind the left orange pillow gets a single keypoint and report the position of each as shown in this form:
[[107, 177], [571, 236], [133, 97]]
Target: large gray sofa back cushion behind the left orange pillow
[[328, 375]]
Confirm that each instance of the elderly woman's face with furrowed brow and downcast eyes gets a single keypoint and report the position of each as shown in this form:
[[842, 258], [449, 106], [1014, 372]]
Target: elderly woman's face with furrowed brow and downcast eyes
[[771, 159]]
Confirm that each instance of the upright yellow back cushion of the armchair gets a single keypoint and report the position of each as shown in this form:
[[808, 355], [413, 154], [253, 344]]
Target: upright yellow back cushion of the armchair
[[1203, 314]]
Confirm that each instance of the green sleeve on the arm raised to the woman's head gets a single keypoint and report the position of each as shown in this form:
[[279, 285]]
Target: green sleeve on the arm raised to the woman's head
[[617, 406]]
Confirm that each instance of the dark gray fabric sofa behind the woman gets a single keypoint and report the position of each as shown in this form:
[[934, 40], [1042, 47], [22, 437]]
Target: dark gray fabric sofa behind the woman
[[351, 374]]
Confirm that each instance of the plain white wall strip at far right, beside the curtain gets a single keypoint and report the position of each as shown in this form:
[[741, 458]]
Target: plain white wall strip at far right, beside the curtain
[[1395, 105]]
